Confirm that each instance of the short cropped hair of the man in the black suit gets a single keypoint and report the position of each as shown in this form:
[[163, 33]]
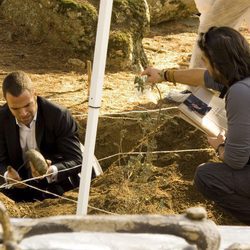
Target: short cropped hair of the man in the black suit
[[15, 83]]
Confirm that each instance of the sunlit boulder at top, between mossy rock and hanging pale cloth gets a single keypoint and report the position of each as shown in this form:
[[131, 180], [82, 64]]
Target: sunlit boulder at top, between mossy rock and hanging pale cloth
[[167, 10]]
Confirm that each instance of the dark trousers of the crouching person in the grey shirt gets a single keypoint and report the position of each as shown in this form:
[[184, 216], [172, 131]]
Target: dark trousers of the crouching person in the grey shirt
[[228, 187]]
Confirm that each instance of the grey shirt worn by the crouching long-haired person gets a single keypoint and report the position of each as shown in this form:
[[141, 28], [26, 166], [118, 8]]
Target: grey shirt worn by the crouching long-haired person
[[237, 146]]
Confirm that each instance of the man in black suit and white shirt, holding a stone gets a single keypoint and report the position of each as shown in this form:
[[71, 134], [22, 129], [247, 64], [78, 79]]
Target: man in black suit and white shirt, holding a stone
[[28, 122]]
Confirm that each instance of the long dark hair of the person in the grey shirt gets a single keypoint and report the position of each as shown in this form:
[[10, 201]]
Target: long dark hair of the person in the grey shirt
[[228, 51]]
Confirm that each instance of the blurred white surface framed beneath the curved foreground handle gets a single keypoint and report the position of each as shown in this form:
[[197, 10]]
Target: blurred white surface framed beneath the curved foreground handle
[[104, 241]]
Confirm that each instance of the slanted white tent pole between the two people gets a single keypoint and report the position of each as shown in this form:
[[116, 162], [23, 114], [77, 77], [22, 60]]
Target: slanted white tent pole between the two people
[[95, 97]]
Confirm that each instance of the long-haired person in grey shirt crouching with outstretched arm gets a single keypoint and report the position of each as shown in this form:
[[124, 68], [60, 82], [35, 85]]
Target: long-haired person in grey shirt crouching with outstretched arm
[[226, 56]]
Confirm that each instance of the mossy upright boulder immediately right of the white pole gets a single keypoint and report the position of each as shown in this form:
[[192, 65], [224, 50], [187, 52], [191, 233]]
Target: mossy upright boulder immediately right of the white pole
[[130, 22]]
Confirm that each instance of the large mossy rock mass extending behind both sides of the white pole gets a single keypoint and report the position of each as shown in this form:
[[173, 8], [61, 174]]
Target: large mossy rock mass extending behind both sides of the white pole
[[71, 25]]
